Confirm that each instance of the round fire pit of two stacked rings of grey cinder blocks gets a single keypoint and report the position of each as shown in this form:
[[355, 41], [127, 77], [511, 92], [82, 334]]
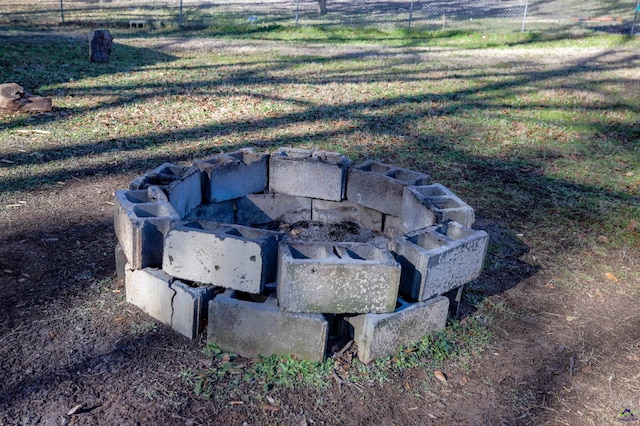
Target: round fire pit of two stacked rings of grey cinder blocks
[[274, 252]]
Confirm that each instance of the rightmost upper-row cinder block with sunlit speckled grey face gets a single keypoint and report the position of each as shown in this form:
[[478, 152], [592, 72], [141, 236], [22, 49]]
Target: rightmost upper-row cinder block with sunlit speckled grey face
[[439, 258]]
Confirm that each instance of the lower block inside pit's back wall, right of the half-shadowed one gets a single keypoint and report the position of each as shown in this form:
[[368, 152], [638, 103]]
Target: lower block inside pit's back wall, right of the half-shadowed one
[[345, 211]]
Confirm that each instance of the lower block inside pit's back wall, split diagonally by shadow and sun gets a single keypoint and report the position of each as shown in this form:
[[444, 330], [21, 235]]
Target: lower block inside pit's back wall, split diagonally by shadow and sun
[[262, 209]]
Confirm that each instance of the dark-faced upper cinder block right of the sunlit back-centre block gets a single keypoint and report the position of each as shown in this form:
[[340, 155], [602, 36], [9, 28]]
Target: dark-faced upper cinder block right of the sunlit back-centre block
[[379, 186]]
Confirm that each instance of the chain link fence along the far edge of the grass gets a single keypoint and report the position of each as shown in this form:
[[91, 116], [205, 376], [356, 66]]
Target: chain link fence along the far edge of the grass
[[490, 16]]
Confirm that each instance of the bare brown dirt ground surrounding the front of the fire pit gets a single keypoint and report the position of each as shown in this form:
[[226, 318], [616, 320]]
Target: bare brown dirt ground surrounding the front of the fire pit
[[72, 351]]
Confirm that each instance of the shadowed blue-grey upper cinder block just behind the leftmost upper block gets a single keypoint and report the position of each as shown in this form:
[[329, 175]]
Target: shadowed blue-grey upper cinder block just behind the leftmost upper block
[[181, 184]]
